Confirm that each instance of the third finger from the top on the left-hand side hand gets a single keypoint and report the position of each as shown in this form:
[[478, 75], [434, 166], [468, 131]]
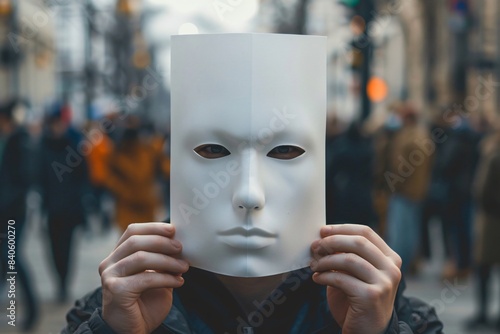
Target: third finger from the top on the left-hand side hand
[[142, 261]]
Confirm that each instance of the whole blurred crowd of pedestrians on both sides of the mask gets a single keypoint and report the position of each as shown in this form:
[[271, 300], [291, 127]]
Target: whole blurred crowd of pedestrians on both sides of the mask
[[400, 178]]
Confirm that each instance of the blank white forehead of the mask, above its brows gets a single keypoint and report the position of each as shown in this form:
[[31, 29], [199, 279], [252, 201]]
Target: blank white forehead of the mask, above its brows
[[248, 83]]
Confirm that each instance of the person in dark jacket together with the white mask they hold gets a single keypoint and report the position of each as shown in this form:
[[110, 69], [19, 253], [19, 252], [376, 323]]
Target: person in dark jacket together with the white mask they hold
[[247, 250]]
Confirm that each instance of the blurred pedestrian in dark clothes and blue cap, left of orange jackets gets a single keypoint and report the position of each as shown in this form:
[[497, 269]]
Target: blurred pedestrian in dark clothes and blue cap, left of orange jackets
[[63, 182]]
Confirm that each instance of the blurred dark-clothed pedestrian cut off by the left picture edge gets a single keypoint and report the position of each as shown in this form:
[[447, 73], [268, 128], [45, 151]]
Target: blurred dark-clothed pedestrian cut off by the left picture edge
[[15, 180]]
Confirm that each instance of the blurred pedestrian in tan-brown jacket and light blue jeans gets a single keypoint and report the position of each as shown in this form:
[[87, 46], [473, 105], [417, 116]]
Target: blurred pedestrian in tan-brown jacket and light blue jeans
[[408, 178]]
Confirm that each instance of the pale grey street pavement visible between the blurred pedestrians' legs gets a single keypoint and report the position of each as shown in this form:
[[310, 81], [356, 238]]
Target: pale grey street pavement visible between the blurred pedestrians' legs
[[453, 306]]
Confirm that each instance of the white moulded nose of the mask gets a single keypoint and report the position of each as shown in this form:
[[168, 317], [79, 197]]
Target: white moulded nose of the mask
[[249, 193]]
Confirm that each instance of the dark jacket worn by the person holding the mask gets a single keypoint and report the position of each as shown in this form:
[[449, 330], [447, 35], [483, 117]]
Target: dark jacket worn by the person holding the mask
[[204, 305]]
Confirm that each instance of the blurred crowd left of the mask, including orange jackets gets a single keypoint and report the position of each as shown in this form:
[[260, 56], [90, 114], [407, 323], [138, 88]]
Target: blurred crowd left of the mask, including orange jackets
[[118, 159]]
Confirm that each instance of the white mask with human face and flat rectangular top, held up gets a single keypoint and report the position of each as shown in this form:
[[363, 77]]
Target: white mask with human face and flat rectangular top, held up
[[247, 154]]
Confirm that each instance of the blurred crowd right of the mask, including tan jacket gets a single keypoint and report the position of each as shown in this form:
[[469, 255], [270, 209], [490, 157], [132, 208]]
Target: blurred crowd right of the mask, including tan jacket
[[419, 170]]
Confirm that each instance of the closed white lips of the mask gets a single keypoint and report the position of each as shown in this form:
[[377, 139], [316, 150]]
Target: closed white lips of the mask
[[252, 238]]
